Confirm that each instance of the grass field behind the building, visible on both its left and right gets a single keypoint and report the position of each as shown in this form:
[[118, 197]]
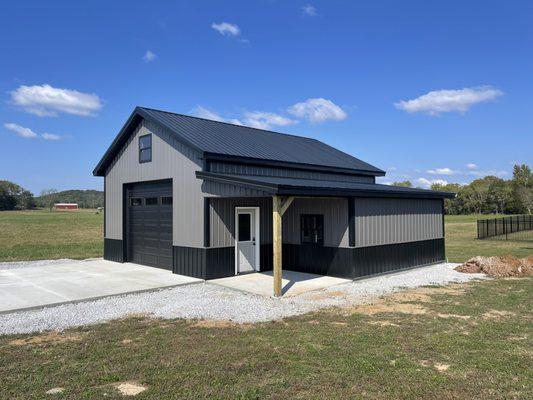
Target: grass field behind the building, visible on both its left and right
[[41, 234]]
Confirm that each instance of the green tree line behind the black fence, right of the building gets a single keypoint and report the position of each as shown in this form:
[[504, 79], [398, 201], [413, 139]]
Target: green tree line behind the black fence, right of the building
[[490, 195]]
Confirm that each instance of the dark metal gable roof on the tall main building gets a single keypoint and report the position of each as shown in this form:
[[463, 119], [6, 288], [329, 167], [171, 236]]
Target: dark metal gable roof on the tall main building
[[222, 140]]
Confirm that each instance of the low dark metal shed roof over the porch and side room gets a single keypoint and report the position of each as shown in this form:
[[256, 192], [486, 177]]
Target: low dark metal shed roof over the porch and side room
[[281, 186]]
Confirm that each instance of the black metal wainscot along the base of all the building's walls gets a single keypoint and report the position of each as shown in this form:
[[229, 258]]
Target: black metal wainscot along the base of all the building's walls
[[212, 263]]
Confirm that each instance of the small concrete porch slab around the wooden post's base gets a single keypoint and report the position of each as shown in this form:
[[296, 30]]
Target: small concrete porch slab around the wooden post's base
[[293, 283]]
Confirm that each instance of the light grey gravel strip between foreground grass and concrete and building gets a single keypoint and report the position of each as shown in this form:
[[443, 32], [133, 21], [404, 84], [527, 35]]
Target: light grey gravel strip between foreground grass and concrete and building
[[208, 301]]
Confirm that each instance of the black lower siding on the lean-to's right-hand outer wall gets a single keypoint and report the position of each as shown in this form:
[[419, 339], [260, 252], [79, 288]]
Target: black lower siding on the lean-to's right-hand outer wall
[[381, 259]]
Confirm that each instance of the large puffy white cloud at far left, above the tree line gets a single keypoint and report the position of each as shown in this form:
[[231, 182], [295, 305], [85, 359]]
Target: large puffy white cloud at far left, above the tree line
[[45, 100]]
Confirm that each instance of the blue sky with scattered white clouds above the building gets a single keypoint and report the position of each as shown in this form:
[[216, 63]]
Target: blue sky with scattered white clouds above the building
[[426, 90]]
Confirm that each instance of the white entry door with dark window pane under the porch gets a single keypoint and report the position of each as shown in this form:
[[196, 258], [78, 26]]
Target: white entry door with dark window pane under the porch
[[246, 239]]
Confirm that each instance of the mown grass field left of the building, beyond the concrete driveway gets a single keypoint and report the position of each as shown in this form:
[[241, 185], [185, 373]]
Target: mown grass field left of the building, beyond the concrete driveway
[[41, 234]]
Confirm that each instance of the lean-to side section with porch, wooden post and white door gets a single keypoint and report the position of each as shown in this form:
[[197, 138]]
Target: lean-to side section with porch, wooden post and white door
[[259, 223]]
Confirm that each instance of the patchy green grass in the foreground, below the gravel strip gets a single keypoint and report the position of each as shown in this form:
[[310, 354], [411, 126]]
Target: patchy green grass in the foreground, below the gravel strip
[[459, 342]]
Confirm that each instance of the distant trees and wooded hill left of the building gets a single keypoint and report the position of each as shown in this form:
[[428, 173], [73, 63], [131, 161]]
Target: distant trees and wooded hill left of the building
[[15, 197]]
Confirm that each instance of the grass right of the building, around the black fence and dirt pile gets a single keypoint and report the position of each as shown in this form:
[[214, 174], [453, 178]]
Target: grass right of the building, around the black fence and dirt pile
[[462, 242]]
